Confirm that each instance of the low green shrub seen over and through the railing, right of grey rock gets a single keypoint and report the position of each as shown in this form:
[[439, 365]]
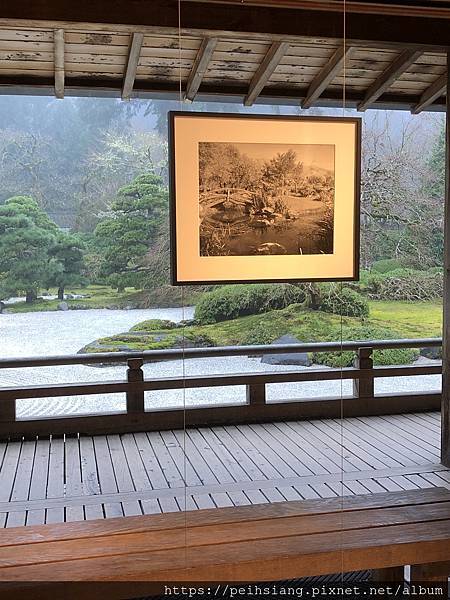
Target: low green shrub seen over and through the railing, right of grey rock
[[396, 356]]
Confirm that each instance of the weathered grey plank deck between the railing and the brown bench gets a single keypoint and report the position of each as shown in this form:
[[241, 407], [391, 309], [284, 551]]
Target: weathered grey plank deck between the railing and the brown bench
[[55, 480]]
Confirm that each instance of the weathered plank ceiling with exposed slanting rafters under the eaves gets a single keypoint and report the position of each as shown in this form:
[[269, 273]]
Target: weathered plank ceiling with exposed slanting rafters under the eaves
[[78, 58]]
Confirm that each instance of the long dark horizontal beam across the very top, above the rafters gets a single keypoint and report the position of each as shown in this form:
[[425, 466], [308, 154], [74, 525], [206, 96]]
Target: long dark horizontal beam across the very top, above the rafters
[[207, 19]]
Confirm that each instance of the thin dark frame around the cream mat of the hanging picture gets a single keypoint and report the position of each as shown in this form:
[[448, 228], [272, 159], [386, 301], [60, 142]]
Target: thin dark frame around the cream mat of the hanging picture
[[172, 115]]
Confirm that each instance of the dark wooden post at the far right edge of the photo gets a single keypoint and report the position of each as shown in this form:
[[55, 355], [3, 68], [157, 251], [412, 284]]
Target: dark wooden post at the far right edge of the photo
[[445, 431]]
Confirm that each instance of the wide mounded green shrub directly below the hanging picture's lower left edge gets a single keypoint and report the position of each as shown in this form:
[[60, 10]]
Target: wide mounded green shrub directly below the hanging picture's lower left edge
[[229, 302]]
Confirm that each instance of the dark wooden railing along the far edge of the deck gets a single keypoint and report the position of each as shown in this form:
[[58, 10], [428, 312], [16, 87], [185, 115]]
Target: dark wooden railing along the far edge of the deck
[[256, 408]]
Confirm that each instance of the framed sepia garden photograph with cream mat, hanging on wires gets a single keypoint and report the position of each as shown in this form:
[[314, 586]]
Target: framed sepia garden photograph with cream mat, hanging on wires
[[259, 198]]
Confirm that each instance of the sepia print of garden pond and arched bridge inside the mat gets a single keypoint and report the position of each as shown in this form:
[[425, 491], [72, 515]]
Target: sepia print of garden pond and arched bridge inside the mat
[[259, 199]]
